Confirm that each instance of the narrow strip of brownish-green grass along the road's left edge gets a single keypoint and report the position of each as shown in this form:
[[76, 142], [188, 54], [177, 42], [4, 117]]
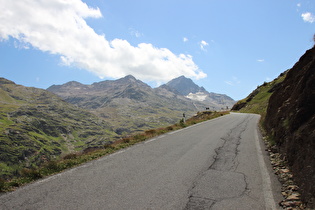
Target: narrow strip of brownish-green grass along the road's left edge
[[27, 175]]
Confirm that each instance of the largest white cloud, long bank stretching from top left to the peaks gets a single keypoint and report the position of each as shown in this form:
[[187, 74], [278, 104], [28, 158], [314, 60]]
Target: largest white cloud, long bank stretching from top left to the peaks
[[58, 27]]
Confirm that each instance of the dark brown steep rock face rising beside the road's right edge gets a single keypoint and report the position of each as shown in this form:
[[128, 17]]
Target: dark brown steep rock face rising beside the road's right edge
[[290, 119]]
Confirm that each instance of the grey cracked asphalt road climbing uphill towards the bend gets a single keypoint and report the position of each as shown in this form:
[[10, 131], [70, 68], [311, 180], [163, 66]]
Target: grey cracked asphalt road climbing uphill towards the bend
[[218, 164]]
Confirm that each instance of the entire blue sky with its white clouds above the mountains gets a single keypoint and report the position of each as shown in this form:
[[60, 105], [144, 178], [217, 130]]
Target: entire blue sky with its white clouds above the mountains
[[228, 47]]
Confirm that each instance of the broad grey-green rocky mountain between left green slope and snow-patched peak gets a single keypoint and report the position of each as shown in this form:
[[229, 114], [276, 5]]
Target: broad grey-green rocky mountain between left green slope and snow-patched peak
[[130, 104]]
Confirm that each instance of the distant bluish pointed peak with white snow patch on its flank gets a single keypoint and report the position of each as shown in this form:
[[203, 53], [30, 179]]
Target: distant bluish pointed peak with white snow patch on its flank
[[189, 89]]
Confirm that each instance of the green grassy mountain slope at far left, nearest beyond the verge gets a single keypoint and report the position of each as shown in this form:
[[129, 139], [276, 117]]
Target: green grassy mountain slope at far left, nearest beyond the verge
[[37, 125]]
